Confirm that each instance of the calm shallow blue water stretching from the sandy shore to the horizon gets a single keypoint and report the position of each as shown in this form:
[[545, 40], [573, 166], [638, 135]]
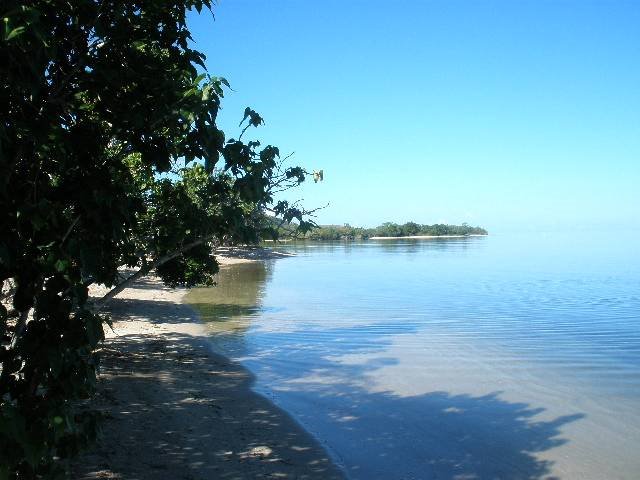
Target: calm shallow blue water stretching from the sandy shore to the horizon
[[477, 358]]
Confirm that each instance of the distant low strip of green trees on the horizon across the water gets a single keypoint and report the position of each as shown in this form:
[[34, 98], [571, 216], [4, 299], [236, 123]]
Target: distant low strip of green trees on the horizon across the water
[[388, 229]]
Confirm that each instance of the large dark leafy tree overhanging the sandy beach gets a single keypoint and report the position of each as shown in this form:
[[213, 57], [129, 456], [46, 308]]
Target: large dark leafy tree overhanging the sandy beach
[[109, 156]]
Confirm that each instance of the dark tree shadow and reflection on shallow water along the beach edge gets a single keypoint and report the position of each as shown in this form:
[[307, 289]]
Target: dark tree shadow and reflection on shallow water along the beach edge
[[380, 434]]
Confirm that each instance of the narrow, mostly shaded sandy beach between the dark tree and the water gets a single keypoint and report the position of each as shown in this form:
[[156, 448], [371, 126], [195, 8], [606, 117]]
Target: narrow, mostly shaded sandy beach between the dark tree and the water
[[175, 410]]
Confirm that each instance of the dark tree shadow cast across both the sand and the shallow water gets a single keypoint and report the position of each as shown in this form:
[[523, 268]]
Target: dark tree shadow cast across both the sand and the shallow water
[[179, 411]]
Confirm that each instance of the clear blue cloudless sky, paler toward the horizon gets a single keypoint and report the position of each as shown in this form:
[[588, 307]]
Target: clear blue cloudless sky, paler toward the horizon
[[507, 114]]
